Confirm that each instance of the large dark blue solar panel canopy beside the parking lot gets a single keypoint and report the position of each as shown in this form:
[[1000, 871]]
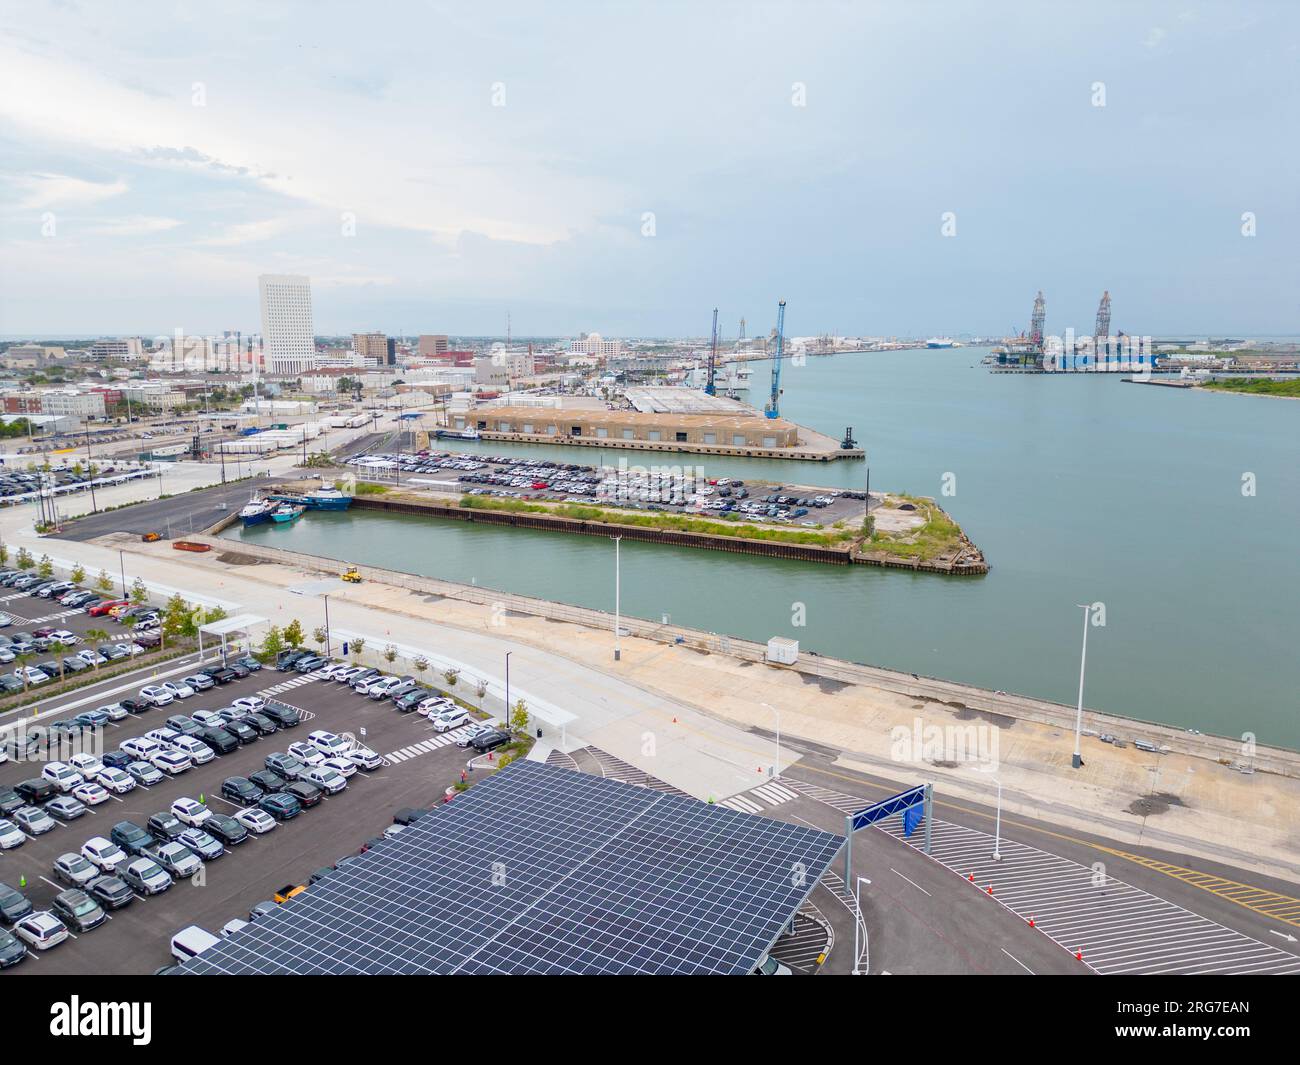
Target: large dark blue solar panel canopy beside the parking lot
[[540, 869]]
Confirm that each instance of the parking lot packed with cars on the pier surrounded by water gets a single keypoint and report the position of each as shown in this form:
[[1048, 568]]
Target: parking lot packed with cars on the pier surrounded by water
[[674, 490]]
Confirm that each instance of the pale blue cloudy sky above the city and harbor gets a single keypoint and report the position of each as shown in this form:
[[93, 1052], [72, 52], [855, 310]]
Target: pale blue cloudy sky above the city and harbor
[[887, 168]]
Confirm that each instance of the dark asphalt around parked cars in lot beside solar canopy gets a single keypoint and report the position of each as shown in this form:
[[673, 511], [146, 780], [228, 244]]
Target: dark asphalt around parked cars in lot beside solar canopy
[[137, 938]]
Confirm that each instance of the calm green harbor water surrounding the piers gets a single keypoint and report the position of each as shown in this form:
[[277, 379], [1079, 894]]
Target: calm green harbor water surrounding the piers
[[1080, 490]]
